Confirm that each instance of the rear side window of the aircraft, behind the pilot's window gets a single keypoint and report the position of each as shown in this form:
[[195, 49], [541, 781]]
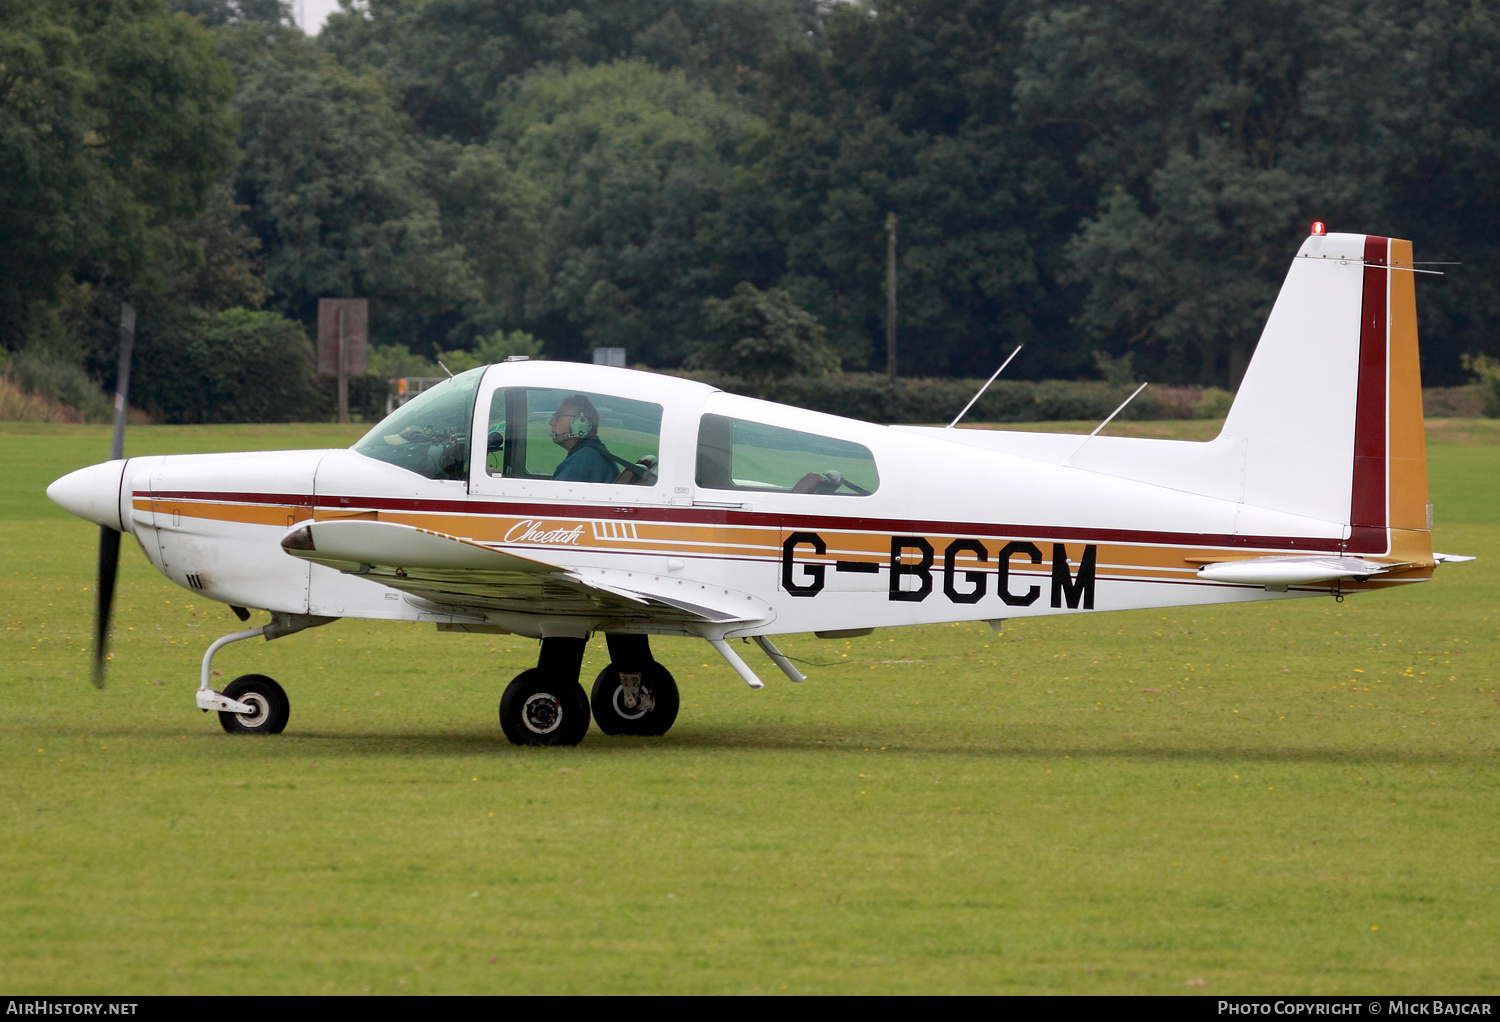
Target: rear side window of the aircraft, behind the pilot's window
[[737, 454]]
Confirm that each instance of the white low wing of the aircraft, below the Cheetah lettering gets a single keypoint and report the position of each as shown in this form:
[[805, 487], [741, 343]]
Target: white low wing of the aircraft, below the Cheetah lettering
[[466, 576]]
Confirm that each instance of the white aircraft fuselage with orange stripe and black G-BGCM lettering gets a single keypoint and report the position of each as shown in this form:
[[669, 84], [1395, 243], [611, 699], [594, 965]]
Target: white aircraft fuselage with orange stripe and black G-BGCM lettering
[[886, 528]]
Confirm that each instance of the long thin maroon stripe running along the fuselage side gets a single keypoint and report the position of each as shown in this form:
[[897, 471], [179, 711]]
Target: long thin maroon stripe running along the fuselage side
[[763, 520]]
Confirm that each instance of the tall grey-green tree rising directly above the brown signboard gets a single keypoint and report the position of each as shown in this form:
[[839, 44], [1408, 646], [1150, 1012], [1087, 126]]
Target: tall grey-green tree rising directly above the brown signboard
[[332, 181]]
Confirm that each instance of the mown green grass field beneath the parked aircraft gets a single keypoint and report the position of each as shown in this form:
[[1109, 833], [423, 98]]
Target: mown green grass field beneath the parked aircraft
[[1283, 798]]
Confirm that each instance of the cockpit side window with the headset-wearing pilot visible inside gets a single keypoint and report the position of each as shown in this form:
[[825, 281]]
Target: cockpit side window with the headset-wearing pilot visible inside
[[572, 436]]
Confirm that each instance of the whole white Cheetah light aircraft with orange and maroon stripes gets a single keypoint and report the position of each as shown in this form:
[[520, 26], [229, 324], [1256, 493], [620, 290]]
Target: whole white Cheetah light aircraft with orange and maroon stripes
[[722, 517]]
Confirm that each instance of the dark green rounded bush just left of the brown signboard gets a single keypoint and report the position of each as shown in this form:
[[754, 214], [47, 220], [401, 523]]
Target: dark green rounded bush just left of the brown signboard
[[236, 367]]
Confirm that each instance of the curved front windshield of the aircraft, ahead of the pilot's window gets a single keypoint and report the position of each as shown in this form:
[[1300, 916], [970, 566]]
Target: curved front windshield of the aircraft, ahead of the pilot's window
[[430, 434]]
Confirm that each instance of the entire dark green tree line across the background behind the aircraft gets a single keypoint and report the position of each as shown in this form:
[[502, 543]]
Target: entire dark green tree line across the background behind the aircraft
[[707, 182]]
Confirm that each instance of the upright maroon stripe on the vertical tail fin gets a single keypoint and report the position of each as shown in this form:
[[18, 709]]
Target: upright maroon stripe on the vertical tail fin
[[1369, 497]]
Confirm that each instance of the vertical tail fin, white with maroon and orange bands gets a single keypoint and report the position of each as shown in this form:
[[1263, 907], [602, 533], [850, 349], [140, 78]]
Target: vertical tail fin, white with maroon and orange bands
[[1330, 415]]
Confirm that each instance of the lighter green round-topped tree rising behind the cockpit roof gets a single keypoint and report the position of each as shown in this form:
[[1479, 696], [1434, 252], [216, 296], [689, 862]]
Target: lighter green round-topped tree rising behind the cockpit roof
[[634, 161]]
